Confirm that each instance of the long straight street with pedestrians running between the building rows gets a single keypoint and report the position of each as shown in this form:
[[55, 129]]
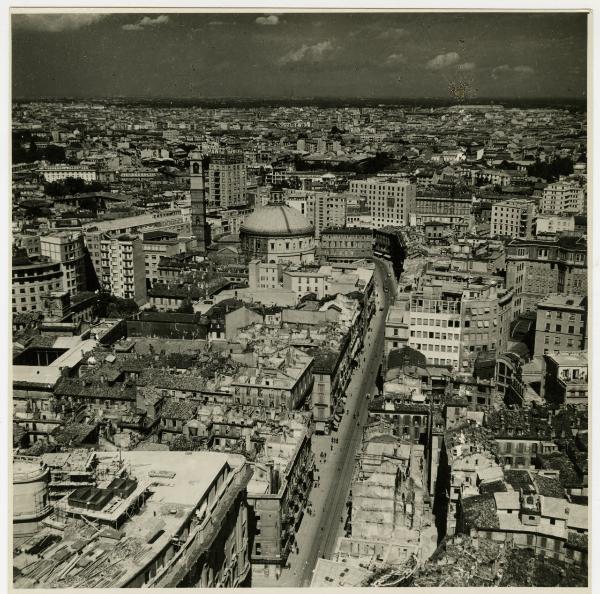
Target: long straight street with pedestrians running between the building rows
[[319, 532]]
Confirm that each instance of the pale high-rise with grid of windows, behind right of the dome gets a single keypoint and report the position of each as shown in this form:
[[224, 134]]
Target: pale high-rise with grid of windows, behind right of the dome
[[390, 200]]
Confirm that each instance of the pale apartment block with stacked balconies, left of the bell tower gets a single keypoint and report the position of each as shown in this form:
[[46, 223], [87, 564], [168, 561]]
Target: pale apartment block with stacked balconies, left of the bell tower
[[120, 264]]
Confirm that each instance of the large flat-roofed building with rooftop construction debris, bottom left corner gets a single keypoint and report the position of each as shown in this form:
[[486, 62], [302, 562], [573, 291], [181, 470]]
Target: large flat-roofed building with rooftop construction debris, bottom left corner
[[183, 513]]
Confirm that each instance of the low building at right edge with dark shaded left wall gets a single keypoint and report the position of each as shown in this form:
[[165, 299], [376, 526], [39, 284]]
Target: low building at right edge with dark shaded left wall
[[565, 378]]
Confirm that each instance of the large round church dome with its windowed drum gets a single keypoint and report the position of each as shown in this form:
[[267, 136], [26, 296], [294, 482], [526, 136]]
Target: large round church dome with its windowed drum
[[277, 233]]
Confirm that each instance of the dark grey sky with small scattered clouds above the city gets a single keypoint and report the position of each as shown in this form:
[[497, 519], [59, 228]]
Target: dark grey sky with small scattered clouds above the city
[[295, 55]]
